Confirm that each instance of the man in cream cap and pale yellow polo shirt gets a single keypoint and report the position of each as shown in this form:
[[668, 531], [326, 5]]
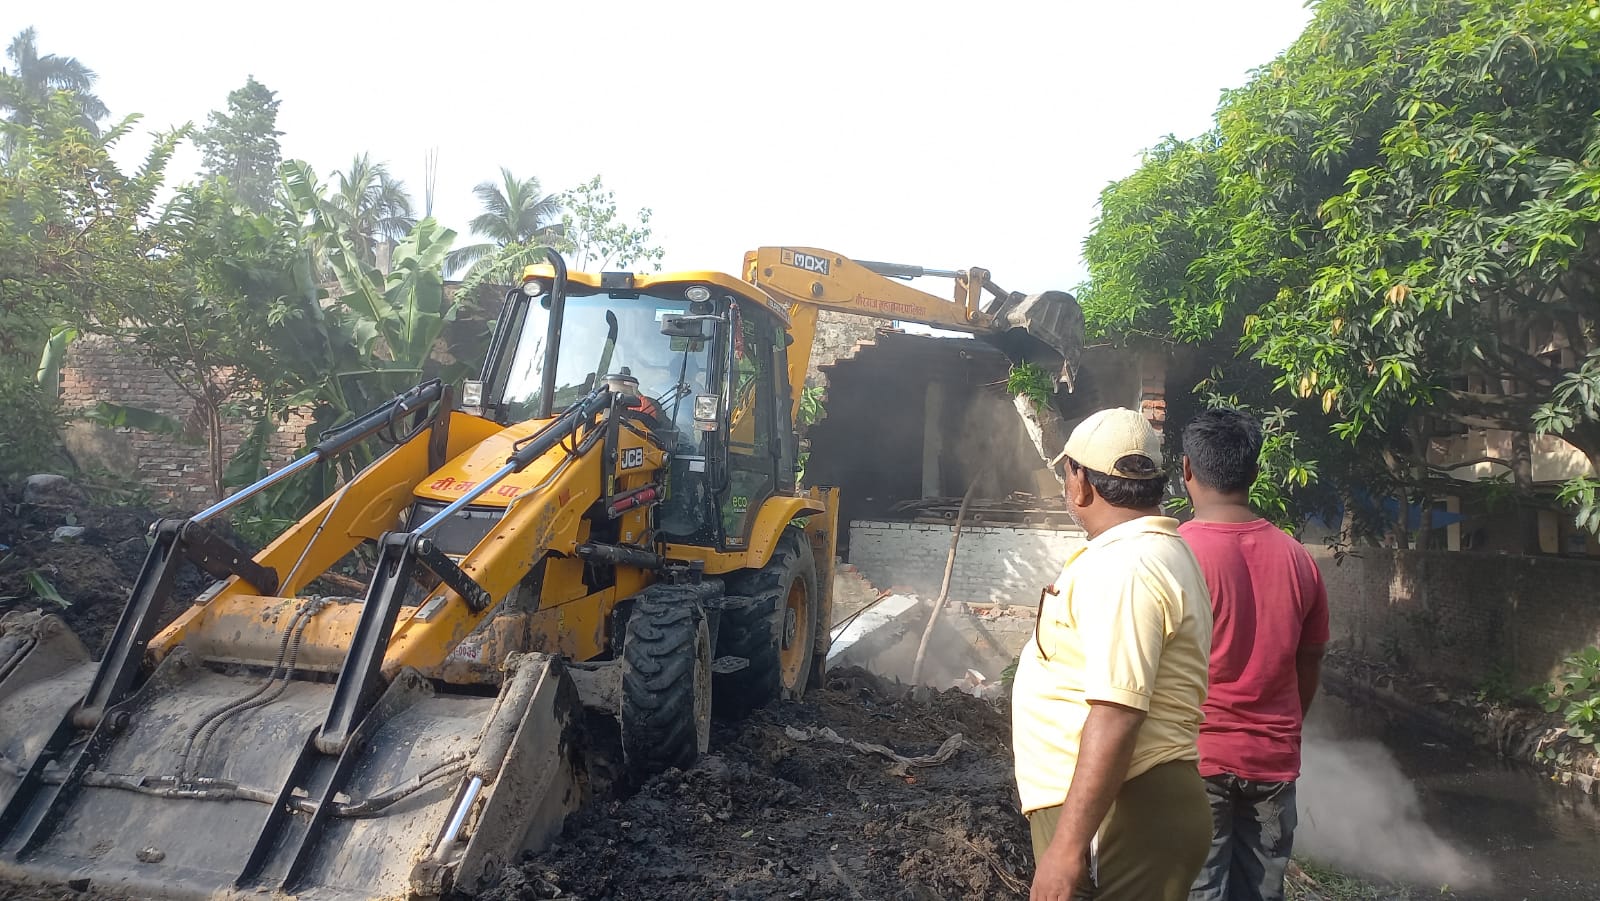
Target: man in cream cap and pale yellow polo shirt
[[1108, 695]]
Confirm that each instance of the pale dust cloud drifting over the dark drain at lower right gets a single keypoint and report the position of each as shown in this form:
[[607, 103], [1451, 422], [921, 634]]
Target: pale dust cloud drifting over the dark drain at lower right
[[1359, 814]]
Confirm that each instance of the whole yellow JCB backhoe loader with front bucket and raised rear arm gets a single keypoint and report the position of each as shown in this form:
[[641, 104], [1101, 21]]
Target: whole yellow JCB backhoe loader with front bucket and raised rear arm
[[609, 521]]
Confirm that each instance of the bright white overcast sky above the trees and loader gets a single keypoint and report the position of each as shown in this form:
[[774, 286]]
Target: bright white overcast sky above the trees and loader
[[940, 134]]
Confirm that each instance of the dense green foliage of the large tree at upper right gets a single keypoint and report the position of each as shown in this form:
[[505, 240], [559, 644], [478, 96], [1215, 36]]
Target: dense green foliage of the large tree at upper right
[[1409, 196]]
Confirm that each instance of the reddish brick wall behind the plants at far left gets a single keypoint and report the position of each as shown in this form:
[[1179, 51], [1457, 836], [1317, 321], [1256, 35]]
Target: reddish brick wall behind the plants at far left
[[175, 470]]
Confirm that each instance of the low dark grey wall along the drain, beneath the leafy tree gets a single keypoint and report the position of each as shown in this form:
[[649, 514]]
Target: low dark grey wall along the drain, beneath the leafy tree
[[1465, 617]]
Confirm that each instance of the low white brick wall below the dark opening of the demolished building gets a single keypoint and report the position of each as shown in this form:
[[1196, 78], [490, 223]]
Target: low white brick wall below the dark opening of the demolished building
[[993, 566]]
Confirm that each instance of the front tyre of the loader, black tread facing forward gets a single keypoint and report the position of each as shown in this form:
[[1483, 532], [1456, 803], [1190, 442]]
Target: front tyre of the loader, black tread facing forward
[[666, 686]]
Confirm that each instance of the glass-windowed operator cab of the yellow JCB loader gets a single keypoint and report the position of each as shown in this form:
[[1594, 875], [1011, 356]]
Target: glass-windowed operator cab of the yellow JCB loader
[[710, 358]]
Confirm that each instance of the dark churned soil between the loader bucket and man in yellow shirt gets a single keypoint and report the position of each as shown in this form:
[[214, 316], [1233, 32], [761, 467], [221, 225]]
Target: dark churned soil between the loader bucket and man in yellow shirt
[[772, 817]]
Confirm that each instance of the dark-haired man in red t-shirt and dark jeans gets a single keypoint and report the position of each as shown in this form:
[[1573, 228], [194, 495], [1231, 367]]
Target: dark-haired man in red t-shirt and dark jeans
[[1270, 615]]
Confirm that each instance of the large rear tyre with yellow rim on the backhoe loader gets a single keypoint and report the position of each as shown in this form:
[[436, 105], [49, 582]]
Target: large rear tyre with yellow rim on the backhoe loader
[[777, 633]]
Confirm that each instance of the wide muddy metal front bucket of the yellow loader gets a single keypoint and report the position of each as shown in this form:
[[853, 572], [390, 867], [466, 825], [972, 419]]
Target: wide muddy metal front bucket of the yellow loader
[[212, 785]]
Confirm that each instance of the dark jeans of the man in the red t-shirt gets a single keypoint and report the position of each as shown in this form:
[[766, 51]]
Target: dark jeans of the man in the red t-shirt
[[1252, 836]]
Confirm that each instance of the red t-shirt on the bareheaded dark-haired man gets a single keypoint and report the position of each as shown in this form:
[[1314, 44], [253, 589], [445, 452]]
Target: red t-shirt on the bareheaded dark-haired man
[[1268, 601]]
